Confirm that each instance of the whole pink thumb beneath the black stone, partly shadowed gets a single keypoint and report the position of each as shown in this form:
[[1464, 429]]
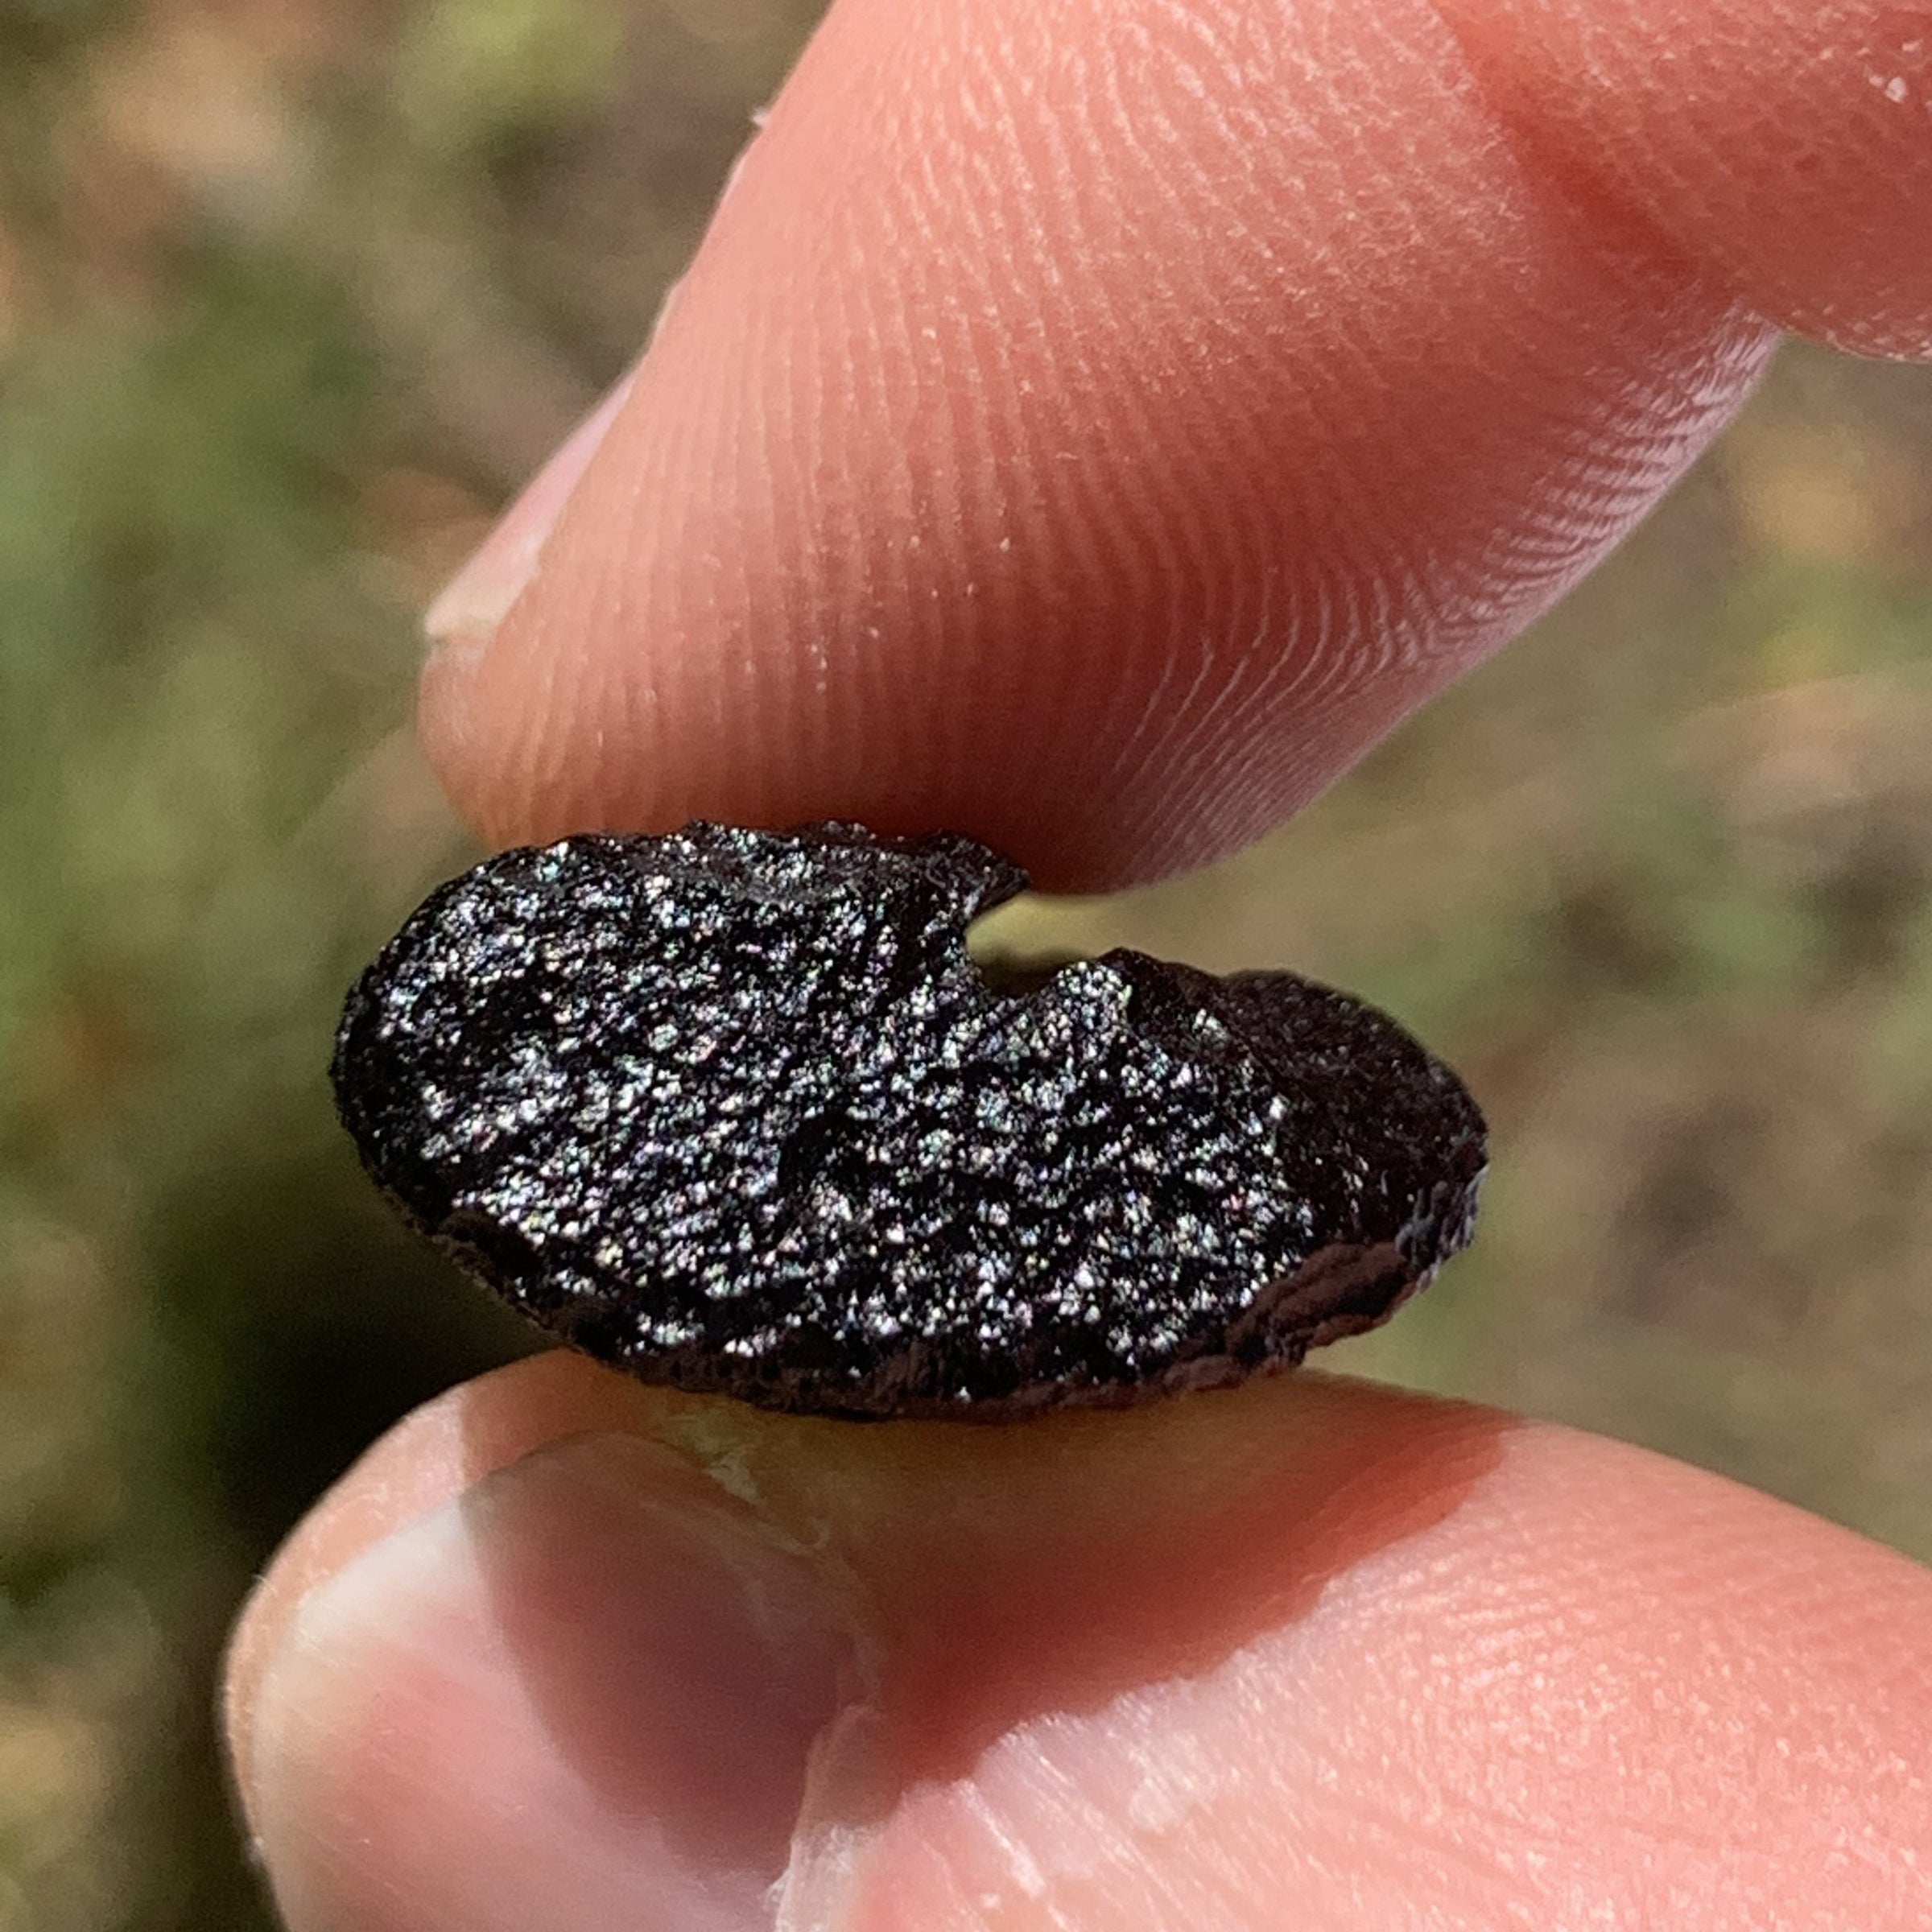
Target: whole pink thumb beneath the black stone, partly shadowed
[[569, 1657]]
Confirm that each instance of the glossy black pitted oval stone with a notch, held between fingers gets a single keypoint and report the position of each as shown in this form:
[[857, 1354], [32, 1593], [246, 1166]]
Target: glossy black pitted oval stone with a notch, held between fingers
[[735, 1112]]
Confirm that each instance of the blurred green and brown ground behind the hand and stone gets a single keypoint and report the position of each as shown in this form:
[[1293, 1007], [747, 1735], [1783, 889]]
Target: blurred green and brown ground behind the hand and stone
[[293, 293]]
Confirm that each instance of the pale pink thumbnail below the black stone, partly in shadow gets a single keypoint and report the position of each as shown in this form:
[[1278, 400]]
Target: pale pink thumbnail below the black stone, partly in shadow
[[582, 1693]]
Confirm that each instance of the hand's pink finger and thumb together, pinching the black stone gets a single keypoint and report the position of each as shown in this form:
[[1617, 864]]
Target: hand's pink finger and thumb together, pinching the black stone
[[1091, 426]]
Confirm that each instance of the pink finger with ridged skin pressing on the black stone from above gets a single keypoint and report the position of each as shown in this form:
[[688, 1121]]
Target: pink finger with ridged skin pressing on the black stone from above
[[1093, 426]]
